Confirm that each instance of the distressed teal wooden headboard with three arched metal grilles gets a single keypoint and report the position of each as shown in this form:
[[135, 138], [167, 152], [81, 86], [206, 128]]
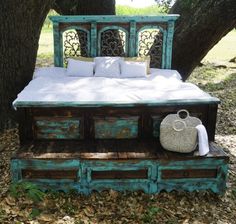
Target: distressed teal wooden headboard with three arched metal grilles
[[129, 36]]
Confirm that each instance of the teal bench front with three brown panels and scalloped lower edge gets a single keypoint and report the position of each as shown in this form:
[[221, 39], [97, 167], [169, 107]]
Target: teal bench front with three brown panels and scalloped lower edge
[[149, 175]]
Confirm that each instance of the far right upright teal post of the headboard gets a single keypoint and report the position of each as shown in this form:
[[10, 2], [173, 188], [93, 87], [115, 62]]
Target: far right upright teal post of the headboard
[[170, 34]]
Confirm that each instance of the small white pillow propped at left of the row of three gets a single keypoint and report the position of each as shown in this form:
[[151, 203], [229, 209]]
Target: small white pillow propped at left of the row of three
[[79, 68]]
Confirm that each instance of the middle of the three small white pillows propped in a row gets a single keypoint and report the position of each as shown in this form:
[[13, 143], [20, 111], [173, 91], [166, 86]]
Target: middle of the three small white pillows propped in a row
[[107, 66]]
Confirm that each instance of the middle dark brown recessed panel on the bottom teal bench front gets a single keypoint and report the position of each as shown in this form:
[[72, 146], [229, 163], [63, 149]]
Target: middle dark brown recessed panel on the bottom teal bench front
[[119, 174]]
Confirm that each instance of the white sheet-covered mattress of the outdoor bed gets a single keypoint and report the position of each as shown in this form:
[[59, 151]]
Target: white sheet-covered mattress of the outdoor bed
[[55, 87]]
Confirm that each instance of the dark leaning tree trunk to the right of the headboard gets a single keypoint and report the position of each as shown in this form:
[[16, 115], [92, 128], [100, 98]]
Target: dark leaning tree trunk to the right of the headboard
[[200, 26]]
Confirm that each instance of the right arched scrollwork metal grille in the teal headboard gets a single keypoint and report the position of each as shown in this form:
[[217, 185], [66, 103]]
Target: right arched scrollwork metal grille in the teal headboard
[[150, 42]]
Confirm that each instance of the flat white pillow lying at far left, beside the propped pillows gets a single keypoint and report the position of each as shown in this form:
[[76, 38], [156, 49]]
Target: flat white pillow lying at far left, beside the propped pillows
[[49, 72]]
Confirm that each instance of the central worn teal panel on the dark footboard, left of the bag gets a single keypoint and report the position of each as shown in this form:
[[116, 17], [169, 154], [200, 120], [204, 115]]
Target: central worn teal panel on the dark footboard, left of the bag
[[116, 128]]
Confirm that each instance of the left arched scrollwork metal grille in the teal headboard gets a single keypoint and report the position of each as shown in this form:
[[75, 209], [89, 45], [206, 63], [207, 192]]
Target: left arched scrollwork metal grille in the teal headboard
[[75, 44]]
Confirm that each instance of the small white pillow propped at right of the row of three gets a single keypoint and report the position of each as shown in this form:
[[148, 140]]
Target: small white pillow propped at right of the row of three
[[133, 69]]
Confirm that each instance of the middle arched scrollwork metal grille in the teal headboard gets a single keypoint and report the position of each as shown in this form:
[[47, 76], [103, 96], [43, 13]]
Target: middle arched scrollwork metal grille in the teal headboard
[[113, 43]]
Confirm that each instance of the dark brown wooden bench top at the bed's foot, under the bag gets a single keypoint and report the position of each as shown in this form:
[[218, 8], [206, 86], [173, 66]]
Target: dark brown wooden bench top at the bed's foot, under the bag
[[109, 149]]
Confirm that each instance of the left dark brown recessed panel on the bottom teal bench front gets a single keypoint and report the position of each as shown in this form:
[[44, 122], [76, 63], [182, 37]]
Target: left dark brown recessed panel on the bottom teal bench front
[[49, 174]]
